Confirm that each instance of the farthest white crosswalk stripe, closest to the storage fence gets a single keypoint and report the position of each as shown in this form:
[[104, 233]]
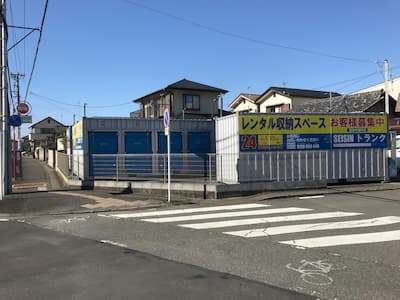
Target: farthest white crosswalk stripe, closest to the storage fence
[[184, 211]]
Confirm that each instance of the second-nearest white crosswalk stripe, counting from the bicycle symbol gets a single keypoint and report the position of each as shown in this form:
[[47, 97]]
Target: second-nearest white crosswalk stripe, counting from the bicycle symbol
[[314, 227]]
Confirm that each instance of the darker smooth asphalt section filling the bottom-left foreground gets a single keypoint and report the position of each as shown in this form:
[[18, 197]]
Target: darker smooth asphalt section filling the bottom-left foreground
[[44, 264]]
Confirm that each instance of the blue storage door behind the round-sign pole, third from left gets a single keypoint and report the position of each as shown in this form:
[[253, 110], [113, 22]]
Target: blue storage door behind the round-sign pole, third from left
[[176, 147]]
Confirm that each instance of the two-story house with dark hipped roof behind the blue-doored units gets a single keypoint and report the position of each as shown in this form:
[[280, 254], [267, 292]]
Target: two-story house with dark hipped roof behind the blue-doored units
[[185, 99]]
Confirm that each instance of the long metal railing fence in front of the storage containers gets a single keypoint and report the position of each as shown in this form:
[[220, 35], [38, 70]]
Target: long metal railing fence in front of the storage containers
[[278, 166]]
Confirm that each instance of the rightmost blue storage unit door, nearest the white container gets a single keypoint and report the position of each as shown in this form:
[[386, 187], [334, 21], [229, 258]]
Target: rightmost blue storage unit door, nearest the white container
[[199, 144]]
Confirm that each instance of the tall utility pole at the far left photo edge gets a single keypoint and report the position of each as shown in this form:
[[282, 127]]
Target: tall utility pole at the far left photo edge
[[4, 142]]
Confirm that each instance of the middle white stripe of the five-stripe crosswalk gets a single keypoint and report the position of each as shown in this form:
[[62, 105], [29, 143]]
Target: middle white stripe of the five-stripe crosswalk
[[220, 224]]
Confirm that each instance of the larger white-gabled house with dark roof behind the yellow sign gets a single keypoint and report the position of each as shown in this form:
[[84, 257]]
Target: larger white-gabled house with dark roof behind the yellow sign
[[282, 99]]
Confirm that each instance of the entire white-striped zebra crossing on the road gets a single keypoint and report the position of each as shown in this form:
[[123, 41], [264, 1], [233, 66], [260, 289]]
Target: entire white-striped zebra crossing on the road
[[253, 218]]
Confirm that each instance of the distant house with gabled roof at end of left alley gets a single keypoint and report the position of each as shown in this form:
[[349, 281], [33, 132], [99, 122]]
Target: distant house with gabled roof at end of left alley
[[43, 129]]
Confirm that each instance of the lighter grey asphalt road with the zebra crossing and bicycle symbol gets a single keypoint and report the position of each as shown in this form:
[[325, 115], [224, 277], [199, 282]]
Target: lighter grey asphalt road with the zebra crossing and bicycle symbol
[[364, 268]]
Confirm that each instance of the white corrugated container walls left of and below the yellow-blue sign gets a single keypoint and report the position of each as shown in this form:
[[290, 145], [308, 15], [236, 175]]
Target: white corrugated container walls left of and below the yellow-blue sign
[[234, 166]]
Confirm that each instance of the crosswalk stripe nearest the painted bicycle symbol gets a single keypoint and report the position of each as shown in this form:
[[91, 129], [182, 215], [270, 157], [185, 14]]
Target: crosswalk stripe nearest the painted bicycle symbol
[[350, 239]]
